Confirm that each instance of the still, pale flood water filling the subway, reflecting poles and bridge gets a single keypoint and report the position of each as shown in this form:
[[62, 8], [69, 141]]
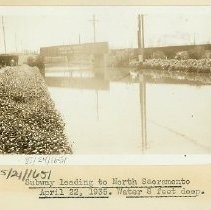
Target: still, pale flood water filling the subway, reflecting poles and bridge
[[117, 114]]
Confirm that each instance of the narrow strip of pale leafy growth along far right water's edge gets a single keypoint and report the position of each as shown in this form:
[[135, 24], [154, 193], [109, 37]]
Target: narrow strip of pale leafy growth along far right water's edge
[[201, 65]]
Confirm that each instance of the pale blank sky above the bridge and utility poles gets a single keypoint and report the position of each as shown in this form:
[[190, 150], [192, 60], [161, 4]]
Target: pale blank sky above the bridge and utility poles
[[35, 26]]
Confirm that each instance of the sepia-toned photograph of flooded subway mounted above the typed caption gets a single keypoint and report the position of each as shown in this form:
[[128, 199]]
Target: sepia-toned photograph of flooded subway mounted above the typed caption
[[121, 80]]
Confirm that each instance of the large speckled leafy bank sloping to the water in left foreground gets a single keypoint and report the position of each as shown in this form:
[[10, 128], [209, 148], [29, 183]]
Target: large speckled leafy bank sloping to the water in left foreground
[[29, 121]]
